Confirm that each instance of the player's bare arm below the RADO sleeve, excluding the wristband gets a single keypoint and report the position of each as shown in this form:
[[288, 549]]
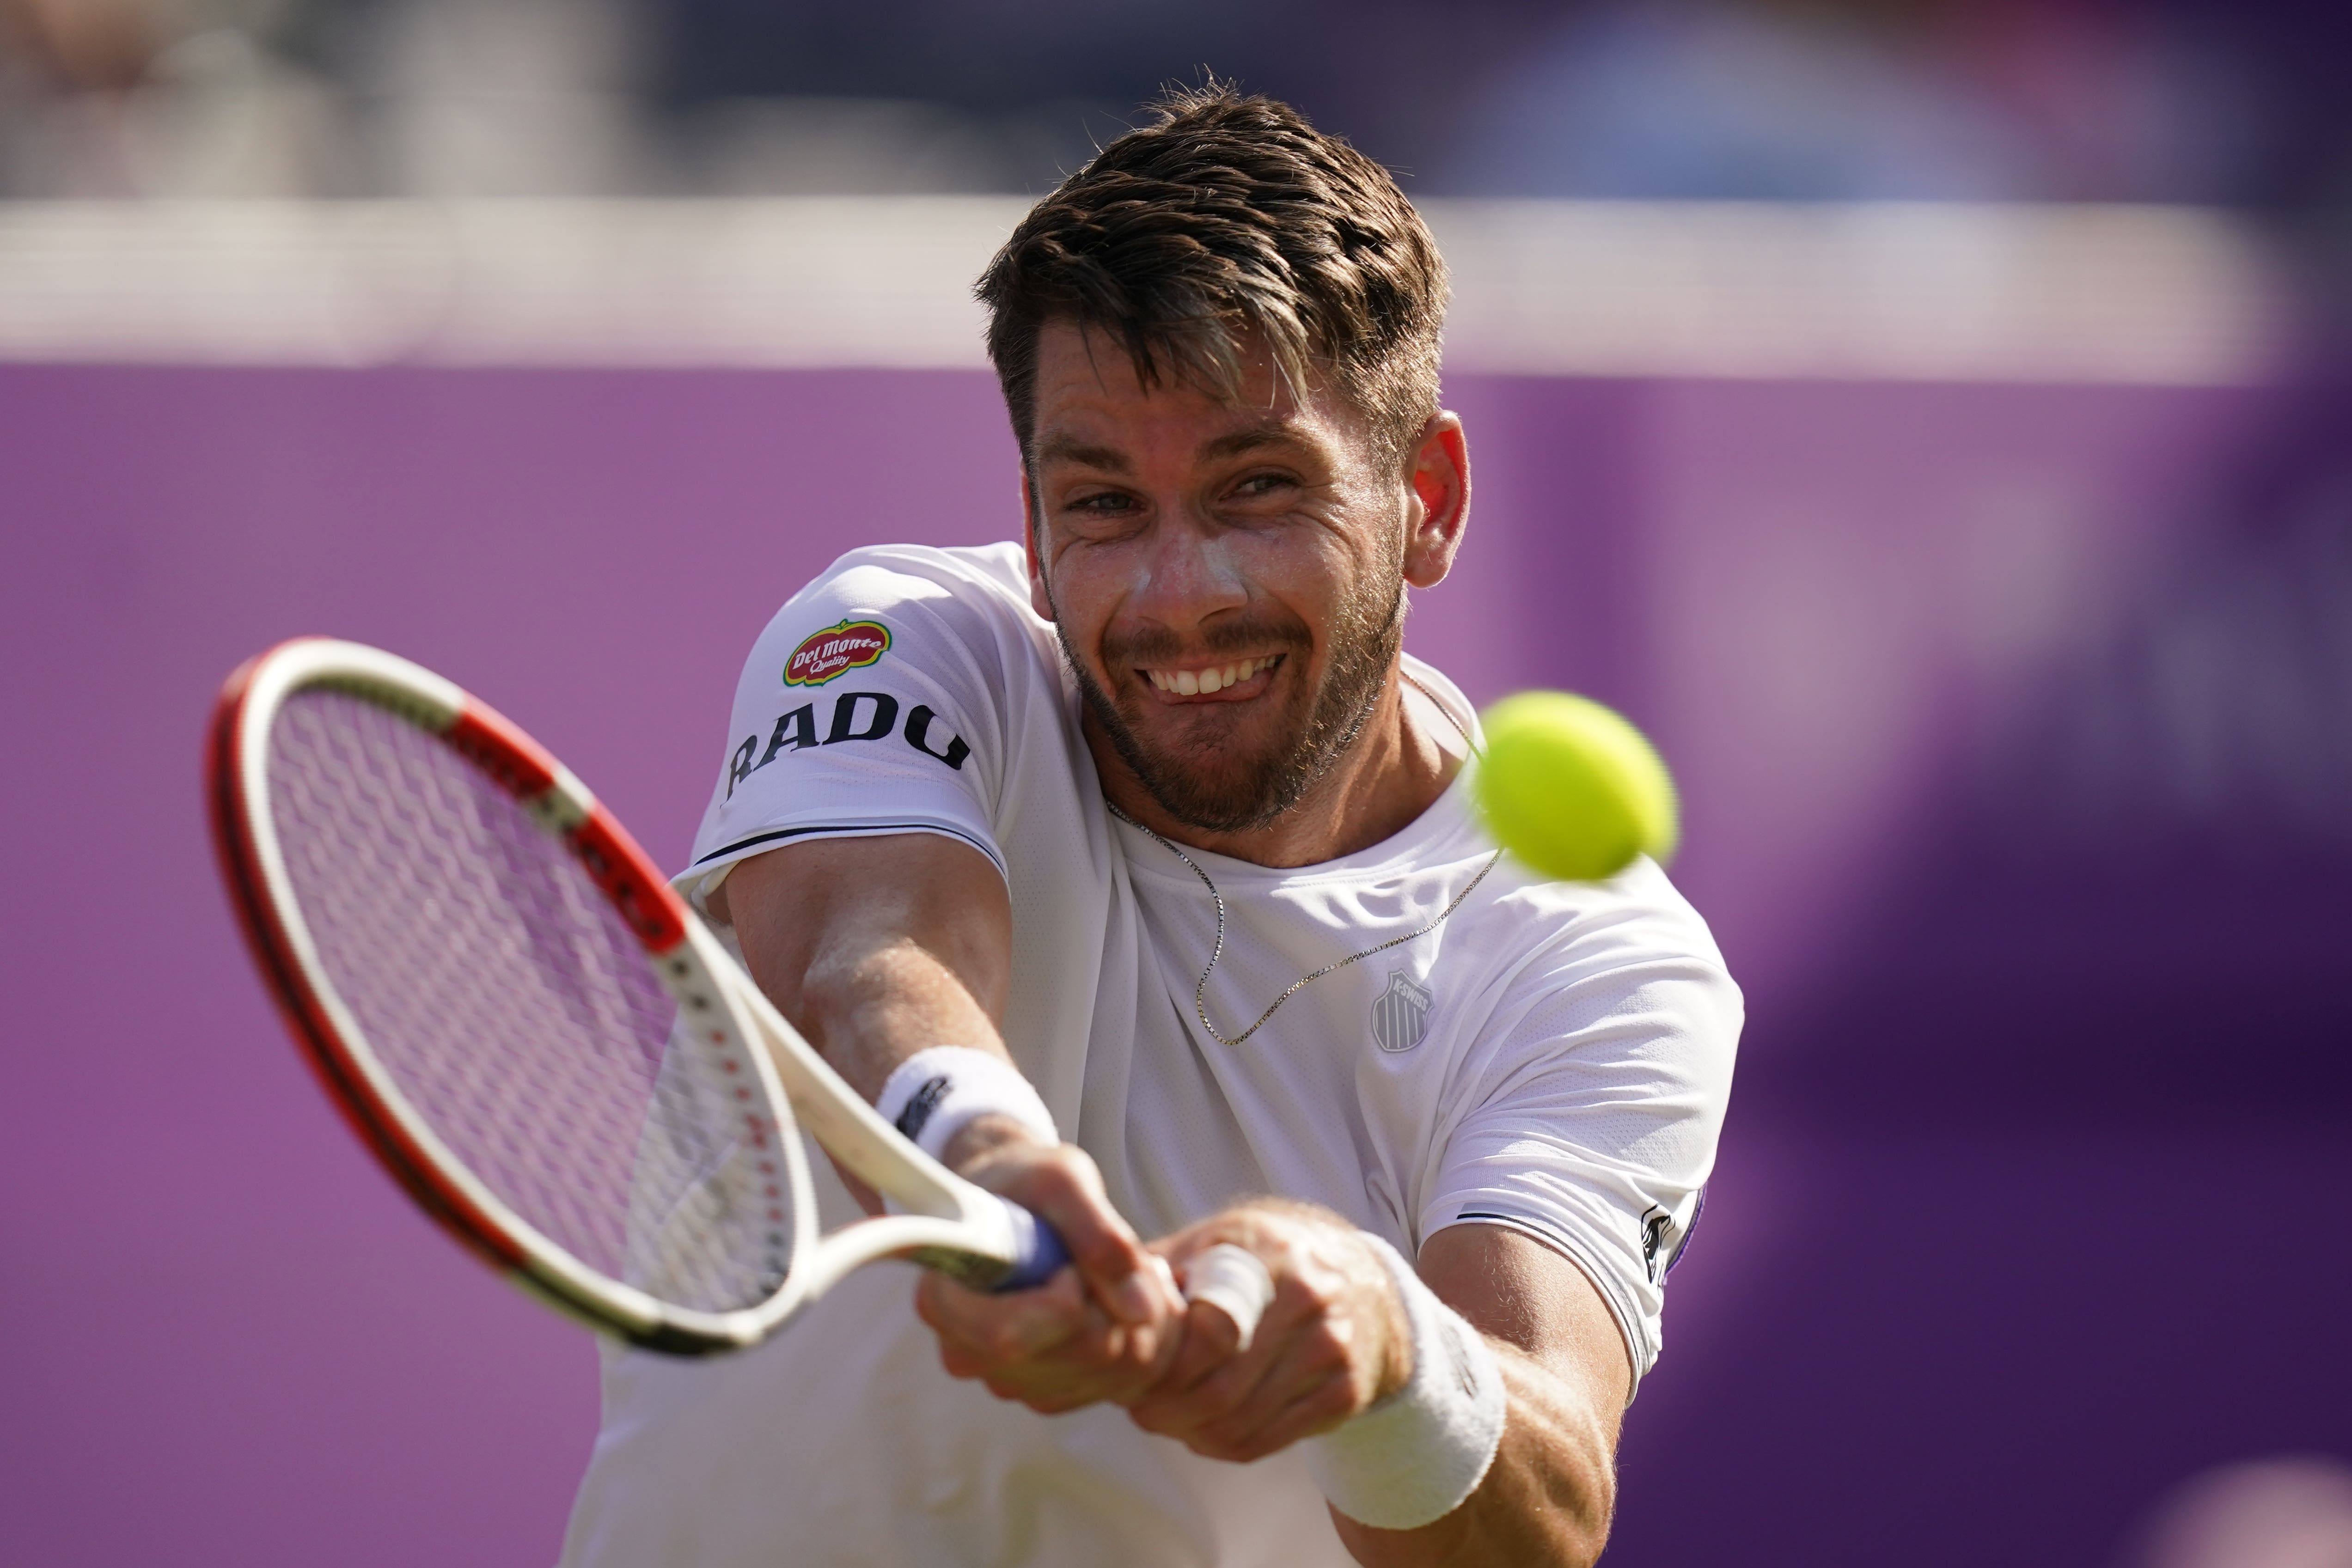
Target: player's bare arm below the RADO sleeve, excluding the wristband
[[883, 946]]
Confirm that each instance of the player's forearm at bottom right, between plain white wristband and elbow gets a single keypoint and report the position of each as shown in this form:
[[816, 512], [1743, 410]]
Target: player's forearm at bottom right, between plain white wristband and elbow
[[1544, 1501]]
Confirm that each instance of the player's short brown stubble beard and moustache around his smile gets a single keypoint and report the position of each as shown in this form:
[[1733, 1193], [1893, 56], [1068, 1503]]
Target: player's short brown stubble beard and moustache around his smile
[[1205, 784]]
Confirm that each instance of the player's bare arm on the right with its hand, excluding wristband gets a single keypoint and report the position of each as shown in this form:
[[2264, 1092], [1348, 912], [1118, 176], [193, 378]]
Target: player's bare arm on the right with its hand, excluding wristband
[[1337, 1341]]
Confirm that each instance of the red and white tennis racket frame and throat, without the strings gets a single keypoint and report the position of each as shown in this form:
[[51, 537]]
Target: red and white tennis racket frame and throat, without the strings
[[944, 1221]]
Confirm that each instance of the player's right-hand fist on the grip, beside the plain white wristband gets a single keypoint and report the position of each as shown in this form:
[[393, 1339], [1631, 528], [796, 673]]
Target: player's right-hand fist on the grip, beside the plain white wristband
[[1332, 1343]]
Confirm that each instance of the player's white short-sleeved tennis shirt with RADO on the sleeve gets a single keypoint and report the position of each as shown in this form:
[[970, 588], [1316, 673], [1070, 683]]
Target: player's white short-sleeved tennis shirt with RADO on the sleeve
[[1553, 1059]]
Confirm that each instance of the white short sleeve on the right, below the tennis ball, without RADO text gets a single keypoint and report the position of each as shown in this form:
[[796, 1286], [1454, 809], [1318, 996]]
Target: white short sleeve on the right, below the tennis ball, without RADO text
[[1593, 1106]]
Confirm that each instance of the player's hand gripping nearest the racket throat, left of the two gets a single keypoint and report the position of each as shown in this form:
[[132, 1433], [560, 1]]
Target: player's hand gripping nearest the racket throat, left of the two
[[1100, 1332]]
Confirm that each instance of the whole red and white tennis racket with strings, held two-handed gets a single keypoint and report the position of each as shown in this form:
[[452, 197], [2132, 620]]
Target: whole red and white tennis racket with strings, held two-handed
[[540, 1040]]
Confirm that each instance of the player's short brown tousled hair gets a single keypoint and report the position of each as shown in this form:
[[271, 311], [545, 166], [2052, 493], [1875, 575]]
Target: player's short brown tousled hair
[[1227, 220]]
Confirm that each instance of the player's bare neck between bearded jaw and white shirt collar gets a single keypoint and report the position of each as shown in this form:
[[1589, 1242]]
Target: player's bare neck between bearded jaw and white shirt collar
[[1387, 779]]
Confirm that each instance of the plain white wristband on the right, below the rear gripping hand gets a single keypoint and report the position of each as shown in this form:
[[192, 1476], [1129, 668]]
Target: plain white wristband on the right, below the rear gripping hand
[[1415, 1456]]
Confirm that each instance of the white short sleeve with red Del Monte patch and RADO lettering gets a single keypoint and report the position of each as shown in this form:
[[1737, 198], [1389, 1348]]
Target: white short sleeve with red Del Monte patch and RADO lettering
[[874, 704]]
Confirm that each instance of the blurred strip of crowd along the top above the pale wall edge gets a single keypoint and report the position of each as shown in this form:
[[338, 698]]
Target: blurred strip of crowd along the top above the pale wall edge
[[1777, 100]]
